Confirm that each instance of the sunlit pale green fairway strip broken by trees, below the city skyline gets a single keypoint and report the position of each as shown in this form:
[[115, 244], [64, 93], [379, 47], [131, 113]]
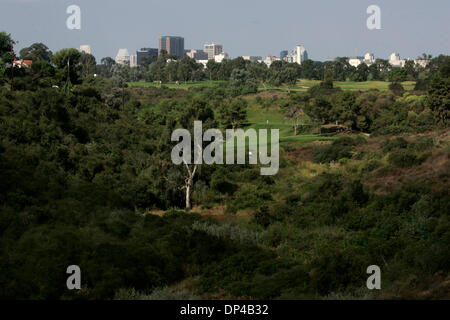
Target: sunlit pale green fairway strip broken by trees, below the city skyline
[[302, 85]]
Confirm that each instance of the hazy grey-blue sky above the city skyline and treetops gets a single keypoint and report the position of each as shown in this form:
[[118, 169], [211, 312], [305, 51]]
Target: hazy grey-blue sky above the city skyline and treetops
[[327, 28]]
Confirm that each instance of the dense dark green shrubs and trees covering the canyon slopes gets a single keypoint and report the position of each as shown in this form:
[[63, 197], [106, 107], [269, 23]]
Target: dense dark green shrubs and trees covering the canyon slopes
[[87, 180]]
